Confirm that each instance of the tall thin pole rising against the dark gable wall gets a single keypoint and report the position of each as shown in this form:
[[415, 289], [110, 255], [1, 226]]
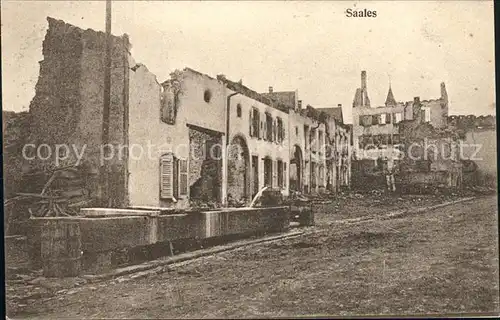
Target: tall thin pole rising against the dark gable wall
[[106, 108]]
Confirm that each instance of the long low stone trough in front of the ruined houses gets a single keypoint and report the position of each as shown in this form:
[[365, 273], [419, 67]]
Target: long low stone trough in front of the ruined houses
[[98, 232]]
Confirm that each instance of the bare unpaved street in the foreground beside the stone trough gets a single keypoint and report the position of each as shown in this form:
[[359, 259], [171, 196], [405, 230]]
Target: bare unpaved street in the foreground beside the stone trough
[[442, 261]]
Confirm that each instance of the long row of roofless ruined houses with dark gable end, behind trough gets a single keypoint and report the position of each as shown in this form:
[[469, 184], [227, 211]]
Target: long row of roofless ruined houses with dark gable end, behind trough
[[209, 139]]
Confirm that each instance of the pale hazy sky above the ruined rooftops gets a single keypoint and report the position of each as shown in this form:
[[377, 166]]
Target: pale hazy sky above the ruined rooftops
[[311, 47]]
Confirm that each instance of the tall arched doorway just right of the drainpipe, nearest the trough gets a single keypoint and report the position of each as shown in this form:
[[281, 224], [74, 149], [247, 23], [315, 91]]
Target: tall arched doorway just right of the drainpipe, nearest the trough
[[238, 172]]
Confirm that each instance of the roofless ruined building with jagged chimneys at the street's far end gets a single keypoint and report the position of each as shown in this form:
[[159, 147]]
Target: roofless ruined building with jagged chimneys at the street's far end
[[387, 131]]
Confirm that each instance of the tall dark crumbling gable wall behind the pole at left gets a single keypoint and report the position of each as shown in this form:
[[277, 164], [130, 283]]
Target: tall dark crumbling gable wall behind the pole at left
[[67, 107]]
